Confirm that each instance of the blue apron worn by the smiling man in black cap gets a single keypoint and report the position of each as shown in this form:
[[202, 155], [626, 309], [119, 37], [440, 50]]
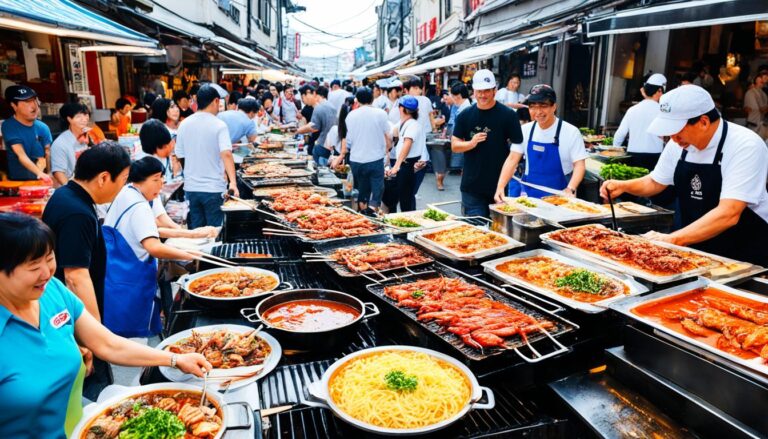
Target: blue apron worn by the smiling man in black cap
[[544, 168]]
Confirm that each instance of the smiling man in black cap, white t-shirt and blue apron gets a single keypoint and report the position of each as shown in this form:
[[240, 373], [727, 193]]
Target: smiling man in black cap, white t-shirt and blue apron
[[553, 149]]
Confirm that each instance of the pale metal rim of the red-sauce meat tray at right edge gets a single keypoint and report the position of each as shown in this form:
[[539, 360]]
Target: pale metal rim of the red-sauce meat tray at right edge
[[626, 306]]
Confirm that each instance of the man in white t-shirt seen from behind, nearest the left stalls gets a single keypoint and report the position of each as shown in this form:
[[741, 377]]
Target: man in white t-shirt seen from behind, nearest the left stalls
[[204, 145]]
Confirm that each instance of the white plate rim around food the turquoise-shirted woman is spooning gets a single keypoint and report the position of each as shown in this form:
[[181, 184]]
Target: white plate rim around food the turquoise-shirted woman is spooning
[[269, 363]]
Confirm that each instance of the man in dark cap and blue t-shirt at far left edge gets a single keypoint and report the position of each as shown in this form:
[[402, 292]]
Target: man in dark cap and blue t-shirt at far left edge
[[27, 139]]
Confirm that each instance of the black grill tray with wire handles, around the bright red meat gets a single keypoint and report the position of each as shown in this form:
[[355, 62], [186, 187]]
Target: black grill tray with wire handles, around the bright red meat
[[469, 353]]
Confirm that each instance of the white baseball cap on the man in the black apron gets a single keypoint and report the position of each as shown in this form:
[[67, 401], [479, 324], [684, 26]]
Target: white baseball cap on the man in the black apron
[[679, 105]]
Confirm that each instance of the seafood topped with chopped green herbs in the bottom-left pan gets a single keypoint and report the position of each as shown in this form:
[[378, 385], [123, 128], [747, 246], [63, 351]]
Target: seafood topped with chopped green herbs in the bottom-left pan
[[179, 412]]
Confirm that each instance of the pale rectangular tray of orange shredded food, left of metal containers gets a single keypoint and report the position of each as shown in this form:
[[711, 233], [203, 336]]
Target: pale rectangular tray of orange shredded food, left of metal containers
[[463, 241]]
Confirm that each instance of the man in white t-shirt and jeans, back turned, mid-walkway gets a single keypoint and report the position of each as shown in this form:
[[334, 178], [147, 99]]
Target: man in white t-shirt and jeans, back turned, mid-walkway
[[368, 136]]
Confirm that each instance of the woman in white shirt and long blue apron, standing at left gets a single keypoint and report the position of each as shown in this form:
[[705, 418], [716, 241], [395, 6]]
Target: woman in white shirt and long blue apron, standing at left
[[131, 305]]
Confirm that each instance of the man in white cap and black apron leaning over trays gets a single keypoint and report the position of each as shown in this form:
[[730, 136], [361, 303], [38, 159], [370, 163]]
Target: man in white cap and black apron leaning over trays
[[719, 172]]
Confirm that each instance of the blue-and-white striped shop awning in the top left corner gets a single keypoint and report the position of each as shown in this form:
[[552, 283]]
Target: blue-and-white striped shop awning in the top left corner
[[67, 19]]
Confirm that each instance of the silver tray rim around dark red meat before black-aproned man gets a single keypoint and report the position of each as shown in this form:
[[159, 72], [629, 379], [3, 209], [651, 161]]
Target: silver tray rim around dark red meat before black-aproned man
[[616, 265]]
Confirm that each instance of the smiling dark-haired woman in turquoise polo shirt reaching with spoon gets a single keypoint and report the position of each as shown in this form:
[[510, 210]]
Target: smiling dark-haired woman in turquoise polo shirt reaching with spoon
[[41, 325]]
